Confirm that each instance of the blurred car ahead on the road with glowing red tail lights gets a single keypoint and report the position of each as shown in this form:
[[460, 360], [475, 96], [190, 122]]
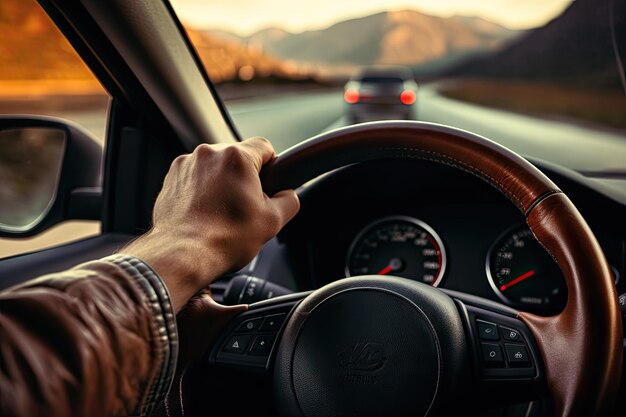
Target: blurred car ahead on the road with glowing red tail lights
[[380, 93]]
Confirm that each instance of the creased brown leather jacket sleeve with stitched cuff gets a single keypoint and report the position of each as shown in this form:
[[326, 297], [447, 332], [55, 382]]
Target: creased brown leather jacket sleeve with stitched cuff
[[96, 340]]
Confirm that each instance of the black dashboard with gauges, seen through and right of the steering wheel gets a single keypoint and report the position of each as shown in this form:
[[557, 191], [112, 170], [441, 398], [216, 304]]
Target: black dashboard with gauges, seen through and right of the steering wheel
[[434, 224]]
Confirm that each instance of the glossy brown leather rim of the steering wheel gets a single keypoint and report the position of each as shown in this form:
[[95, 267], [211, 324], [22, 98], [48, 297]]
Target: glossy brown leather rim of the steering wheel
[[581, 346]]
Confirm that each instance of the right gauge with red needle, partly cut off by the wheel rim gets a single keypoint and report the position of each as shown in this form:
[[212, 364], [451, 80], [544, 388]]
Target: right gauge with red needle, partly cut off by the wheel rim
[[522, 273]]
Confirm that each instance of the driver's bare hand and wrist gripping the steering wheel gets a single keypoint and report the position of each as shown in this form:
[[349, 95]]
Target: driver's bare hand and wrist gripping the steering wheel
[[212, 216]]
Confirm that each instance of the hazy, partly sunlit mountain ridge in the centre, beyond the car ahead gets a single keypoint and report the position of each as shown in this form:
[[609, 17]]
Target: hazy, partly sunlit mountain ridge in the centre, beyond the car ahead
[[398, 37]]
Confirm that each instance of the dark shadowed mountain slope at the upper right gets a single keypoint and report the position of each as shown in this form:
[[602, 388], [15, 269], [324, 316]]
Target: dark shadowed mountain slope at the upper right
[[575, 48]]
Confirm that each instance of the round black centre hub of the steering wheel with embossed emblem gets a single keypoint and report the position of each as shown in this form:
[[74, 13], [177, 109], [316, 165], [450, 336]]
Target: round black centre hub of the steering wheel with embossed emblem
[[370, 349]]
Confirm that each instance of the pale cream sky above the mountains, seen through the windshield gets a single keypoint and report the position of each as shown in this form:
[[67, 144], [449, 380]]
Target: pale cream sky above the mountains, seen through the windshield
[[245, 17]]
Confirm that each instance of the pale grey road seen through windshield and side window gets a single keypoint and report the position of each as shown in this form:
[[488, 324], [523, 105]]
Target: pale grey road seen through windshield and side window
[[290, 118]]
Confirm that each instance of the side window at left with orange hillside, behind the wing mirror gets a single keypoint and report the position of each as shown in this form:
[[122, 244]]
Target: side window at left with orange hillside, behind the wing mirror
[[41, 74]]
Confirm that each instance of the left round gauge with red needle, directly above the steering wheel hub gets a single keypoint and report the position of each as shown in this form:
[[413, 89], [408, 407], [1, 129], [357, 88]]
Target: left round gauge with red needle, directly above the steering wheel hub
[[401, 246]]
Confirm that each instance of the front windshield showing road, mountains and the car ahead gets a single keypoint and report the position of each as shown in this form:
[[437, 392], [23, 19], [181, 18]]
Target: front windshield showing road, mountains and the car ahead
[[542, 77]]
